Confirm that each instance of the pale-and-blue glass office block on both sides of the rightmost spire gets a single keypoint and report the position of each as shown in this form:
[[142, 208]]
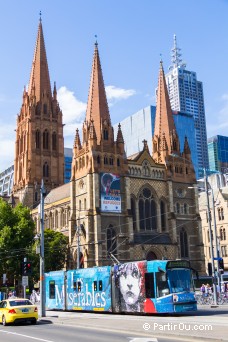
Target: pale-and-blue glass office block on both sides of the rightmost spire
[[140, 126]]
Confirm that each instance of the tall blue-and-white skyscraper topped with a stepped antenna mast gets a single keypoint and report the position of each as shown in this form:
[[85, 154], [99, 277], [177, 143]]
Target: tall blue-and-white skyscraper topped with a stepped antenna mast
[[186, 95]]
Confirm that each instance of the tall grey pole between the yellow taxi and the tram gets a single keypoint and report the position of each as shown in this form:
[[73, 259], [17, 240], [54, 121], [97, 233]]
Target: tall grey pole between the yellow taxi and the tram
[[42, 280]]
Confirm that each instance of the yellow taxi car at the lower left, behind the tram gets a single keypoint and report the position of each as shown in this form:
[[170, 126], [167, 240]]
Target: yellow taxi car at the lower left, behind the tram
[[17, 310]]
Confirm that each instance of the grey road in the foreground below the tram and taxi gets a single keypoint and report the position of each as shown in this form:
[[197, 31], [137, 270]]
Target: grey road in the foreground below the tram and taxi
[[208, 324]]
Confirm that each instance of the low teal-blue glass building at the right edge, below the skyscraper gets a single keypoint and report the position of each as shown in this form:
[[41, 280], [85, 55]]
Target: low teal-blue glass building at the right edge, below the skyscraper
[[218, 153]]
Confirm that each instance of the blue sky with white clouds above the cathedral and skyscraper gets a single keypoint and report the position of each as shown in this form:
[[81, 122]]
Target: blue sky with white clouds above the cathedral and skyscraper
[[131, 35]]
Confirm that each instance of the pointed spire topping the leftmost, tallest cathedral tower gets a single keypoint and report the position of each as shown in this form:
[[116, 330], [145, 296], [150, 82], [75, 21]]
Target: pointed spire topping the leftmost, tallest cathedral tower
[[39, 78]]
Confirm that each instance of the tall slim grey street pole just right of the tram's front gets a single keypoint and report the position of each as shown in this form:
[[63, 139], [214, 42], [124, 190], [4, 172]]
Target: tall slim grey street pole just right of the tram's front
[[211, 242]]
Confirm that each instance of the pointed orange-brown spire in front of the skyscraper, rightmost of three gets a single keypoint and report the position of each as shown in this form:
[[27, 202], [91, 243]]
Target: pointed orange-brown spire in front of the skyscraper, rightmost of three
[[164, 123]]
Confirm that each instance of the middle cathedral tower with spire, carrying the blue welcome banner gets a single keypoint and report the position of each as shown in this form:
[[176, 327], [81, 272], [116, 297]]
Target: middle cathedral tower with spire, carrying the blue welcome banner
[[98, 169]]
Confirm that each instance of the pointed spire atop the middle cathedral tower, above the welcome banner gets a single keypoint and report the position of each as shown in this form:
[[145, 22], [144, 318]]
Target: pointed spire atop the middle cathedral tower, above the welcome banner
[[97, 107]]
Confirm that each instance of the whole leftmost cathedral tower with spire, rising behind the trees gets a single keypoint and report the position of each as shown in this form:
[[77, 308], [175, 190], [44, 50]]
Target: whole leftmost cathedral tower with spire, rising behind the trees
[[39, 149]]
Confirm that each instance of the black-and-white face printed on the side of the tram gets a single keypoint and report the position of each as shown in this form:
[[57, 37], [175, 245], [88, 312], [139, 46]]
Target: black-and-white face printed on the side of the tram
[[130, 281]]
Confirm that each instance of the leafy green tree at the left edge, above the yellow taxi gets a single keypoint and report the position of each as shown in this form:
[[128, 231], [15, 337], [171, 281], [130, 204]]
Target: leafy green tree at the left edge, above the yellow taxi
[[16, 238]]
